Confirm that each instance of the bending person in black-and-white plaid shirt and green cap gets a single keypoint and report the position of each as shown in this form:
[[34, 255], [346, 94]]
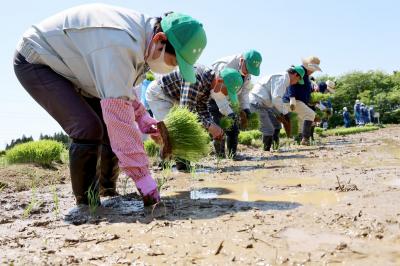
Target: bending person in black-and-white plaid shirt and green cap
[[169, 90]]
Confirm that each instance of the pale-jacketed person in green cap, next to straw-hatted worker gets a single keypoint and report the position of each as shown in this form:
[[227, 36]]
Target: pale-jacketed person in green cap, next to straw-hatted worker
[[266, 98]]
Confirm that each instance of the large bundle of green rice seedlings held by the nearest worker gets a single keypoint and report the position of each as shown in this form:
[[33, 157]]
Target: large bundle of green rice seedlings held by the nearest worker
[[188, 139]]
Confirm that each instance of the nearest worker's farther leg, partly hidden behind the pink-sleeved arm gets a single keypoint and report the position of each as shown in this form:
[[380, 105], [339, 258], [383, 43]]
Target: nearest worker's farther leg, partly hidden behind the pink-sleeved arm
[[108, 167]]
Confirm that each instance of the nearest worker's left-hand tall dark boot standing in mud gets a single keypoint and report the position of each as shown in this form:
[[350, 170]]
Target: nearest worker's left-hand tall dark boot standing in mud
[[83, 159]]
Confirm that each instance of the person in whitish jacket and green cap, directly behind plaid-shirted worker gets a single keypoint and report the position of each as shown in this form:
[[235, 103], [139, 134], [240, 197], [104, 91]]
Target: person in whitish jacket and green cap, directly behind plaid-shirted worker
[[247, 64]]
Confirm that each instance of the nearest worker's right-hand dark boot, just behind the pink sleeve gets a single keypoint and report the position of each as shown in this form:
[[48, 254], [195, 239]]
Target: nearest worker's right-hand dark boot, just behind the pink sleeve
[[109, 171]]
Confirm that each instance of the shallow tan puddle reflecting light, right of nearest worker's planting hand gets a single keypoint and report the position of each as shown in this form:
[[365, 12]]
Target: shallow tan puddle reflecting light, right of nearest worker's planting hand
[[252, 192]]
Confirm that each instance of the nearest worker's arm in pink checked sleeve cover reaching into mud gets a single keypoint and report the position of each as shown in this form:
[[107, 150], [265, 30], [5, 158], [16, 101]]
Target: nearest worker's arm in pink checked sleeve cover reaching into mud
[[114, 75]]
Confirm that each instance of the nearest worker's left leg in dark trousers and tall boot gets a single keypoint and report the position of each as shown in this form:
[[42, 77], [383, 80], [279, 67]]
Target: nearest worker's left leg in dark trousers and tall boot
[[59, 98]]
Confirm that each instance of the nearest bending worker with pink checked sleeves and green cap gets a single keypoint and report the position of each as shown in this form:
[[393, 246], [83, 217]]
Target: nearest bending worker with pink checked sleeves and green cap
[[80, 65]]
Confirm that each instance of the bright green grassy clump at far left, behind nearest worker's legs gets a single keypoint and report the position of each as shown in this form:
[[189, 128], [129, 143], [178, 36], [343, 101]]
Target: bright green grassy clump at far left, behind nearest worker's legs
[[42, 152]]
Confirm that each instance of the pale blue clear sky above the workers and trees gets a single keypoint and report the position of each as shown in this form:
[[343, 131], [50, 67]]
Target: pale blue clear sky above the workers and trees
[[346, 35]]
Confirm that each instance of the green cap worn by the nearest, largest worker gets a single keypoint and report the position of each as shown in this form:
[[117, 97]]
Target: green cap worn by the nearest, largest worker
[[188, 38]]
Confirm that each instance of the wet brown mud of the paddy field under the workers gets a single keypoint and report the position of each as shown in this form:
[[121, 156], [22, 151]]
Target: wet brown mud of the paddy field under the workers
[[333, 203]]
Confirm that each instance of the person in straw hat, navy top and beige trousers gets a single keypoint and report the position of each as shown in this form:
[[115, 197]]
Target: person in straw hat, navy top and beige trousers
[[298, 97]]
